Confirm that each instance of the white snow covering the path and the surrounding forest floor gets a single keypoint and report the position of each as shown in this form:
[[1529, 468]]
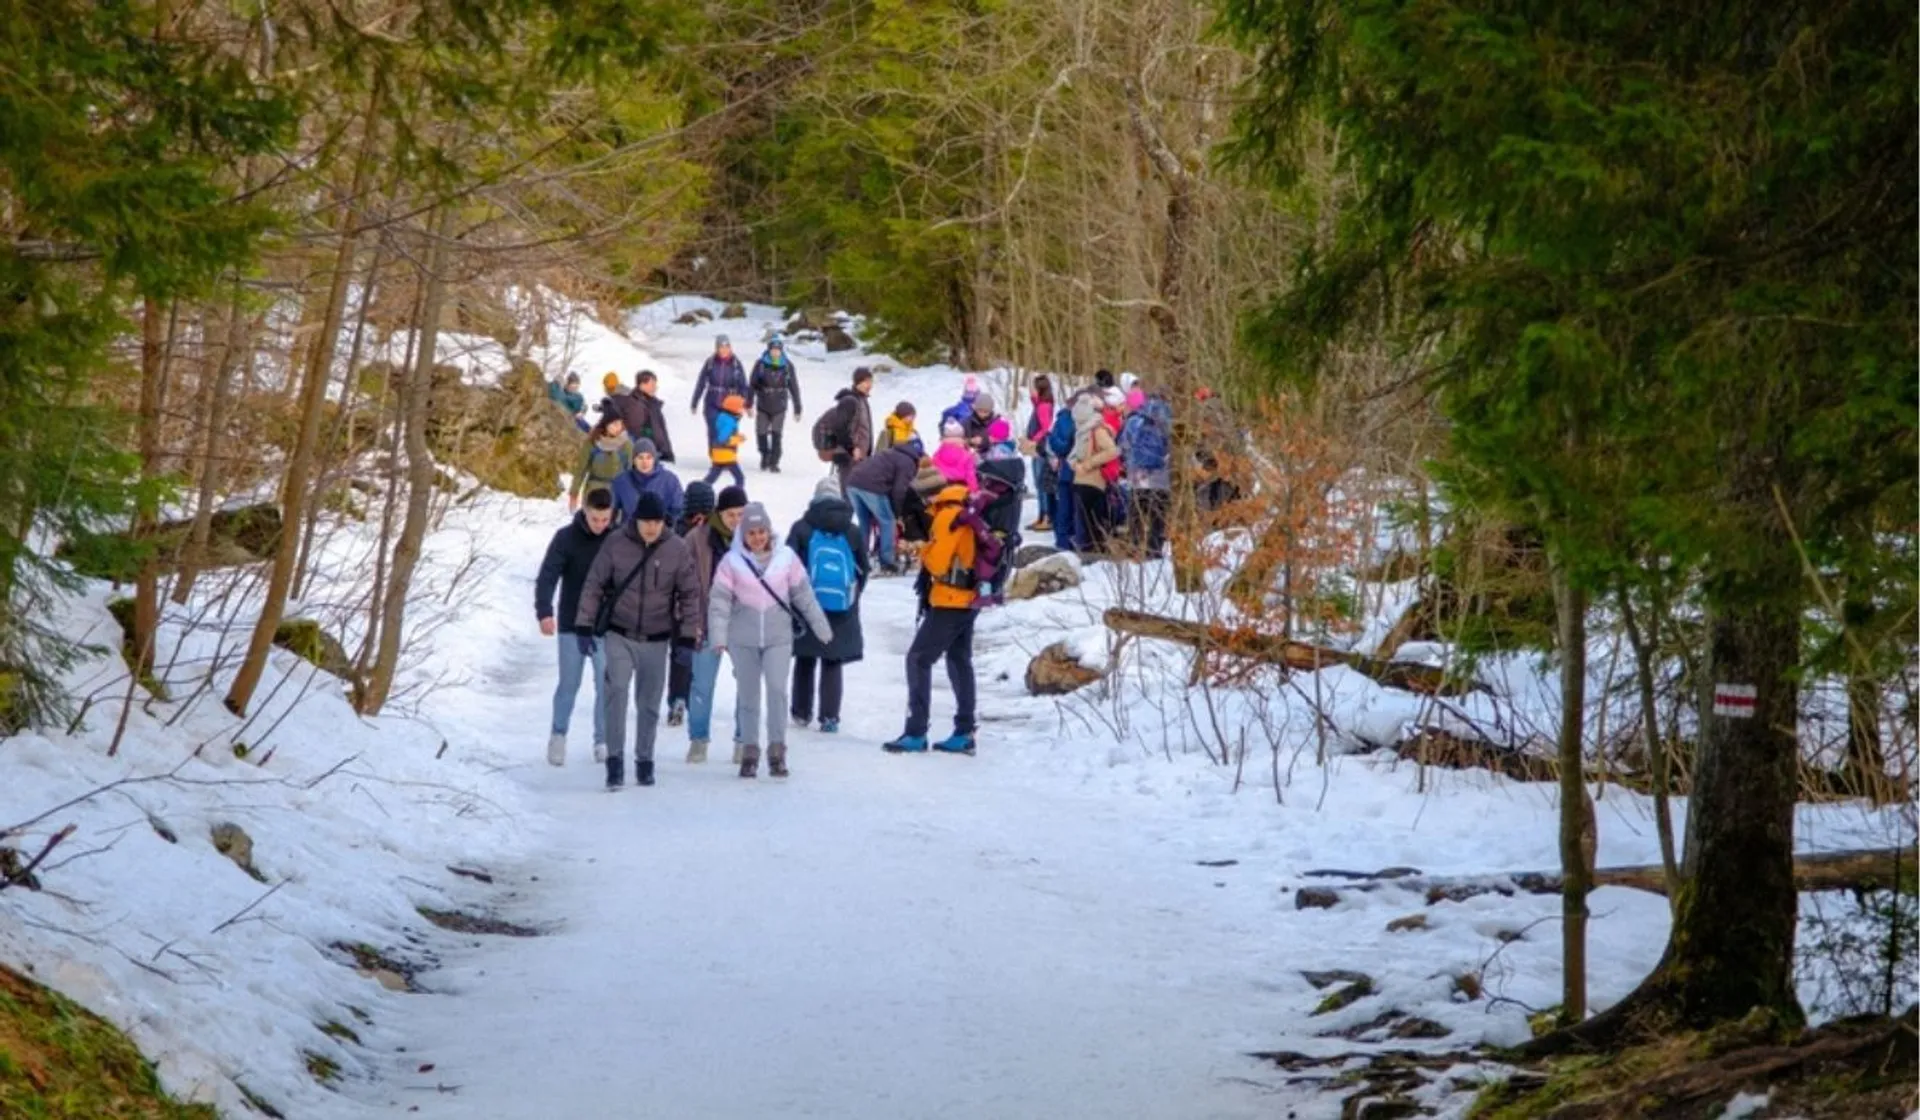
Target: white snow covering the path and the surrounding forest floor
[[1036, 931]]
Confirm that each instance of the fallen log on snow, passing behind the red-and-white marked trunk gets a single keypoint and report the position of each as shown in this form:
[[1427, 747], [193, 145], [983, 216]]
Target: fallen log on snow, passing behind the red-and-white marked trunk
[[1873, 869]]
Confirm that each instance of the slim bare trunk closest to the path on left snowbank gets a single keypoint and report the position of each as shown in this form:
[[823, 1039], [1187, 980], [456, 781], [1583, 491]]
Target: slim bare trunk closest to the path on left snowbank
[[420, 474]]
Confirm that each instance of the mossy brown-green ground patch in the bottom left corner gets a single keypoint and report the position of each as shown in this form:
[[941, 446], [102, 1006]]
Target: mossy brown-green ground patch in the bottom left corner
[[64, 1063]]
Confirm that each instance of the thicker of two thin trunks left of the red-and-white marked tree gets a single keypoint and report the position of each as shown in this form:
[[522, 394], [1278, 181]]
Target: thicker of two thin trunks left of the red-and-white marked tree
[[1577, 823]]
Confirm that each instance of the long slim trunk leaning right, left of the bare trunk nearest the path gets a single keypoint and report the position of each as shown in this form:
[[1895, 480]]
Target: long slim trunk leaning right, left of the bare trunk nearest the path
[[314, 397]]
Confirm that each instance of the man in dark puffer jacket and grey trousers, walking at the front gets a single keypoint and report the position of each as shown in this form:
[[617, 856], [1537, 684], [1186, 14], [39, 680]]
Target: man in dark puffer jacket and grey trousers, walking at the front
[[640, 600]]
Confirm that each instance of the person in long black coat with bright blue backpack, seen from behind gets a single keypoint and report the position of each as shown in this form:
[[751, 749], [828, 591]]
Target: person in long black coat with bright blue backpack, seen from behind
[[836, 570]]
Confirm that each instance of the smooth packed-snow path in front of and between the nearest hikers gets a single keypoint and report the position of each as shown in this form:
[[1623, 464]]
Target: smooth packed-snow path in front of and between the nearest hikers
[[876, 937]]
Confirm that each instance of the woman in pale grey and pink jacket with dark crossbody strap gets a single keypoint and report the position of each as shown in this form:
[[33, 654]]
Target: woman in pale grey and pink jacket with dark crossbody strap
[[759, 598]]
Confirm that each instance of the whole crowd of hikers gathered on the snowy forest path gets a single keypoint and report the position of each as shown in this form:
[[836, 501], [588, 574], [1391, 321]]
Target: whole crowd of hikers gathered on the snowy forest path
[[660, 581]]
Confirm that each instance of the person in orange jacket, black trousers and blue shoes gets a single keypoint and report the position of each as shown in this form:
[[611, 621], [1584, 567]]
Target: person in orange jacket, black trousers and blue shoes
[[949, 579]]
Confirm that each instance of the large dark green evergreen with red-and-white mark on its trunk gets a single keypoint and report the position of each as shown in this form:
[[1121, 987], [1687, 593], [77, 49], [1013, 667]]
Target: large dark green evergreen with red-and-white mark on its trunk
[[1662, 264]]
